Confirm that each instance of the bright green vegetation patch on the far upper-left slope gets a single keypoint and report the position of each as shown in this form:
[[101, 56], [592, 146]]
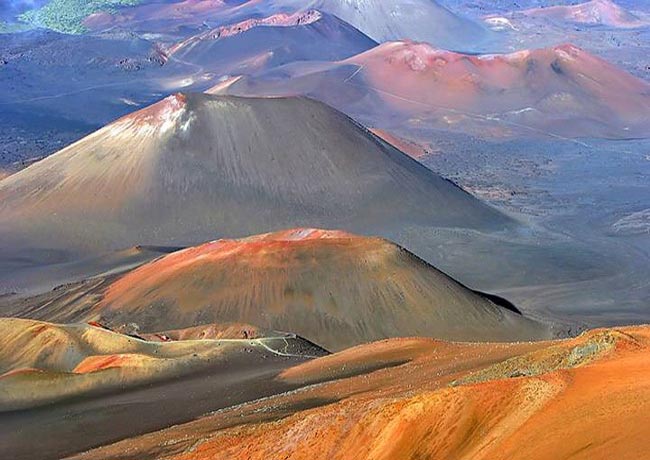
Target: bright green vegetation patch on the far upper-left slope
[[67, 16]]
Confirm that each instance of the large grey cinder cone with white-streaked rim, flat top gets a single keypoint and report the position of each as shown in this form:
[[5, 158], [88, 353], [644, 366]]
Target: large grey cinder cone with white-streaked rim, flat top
[[195, 166]]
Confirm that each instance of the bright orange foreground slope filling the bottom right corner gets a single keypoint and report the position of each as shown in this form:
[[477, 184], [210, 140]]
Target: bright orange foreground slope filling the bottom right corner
[[584, 398]]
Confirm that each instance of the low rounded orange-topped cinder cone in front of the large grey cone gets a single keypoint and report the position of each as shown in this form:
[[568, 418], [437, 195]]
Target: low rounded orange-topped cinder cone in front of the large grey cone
[[333, 288]]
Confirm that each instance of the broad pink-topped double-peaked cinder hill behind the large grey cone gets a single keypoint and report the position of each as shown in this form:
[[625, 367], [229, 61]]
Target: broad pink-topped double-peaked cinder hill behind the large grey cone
[[561, 91]]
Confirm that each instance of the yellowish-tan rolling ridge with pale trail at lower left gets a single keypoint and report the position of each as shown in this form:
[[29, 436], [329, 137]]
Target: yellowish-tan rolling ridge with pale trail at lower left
[[42, 363]]
